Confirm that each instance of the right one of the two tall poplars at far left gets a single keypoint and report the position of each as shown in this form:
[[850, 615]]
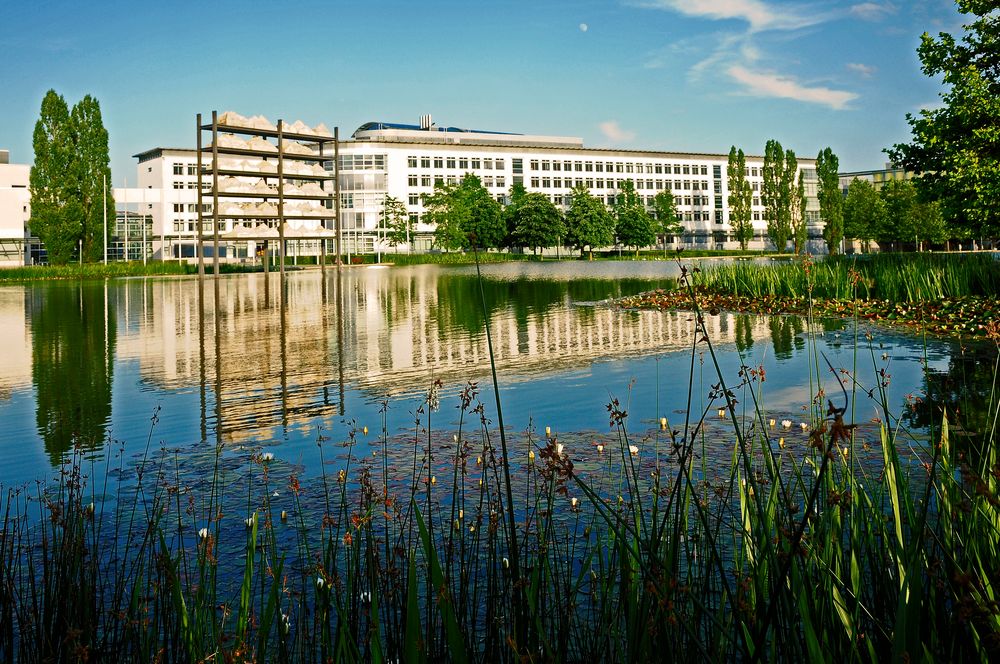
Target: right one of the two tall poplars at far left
[[91, 174]]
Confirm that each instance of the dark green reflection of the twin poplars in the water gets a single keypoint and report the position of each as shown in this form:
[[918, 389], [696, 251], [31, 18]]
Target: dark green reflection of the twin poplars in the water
[[73, 333]]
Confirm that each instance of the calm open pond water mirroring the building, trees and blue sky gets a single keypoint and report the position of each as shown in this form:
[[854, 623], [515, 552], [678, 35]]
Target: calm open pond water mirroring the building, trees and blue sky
[[252, 363]]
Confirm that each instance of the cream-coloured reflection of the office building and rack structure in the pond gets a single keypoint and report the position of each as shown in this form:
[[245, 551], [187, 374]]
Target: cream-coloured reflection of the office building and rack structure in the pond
[[267, 356]]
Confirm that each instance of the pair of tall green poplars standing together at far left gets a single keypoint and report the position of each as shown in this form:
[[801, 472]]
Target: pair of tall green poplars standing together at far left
[[71, 178]]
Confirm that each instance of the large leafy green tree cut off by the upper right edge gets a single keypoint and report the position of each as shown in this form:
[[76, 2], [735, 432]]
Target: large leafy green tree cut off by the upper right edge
[[955, 148]]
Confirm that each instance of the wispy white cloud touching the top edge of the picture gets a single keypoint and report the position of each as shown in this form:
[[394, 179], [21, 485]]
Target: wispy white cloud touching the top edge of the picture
[[759, 14]]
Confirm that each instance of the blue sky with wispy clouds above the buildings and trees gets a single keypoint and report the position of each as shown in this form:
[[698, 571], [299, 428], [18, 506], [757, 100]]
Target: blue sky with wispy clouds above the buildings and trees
[[671, 75]]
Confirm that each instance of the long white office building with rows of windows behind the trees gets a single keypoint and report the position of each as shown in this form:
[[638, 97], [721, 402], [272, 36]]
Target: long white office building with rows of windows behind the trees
[[405, 161]]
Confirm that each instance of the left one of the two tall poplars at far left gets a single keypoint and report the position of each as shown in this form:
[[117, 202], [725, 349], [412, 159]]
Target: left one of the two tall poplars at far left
[[56, 217]]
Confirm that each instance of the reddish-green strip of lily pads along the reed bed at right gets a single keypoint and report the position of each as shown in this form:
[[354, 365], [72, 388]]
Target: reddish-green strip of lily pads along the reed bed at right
[[959, 316]]
